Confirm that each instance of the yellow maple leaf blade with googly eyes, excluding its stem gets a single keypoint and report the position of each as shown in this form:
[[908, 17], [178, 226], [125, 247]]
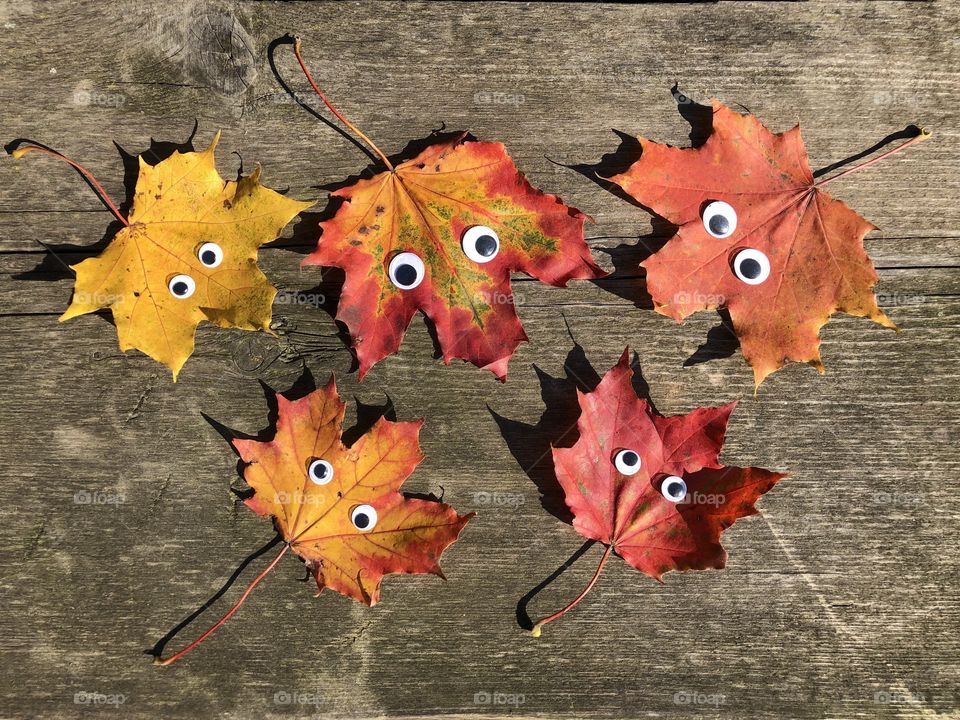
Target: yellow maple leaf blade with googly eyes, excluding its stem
[[188, 253]]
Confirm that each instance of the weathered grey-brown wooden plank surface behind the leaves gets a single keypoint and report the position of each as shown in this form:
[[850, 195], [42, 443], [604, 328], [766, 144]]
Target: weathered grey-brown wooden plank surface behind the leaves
[[841, 600]]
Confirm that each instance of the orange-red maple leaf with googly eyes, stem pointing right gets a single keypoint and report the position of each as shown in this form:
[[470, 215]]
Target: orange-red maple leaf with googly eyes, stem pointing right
[[758, 236]]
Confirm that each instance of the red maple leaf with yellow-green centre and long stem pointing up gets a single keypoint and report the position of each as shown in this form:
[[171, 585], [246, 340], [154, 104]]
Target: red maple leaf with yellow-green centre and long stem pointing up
[[441, 234]]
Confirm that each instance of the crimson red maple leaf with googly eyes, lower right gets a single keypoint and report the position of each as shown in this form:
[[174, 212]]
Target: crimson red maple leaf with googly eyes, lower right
[[652, 488]]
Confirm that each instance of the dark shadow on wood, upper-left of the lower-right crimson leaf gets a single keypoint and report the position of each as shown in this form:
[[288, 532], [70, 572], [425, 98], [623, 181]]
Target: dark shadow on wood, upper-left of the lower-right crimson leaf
[[531, 445]]
